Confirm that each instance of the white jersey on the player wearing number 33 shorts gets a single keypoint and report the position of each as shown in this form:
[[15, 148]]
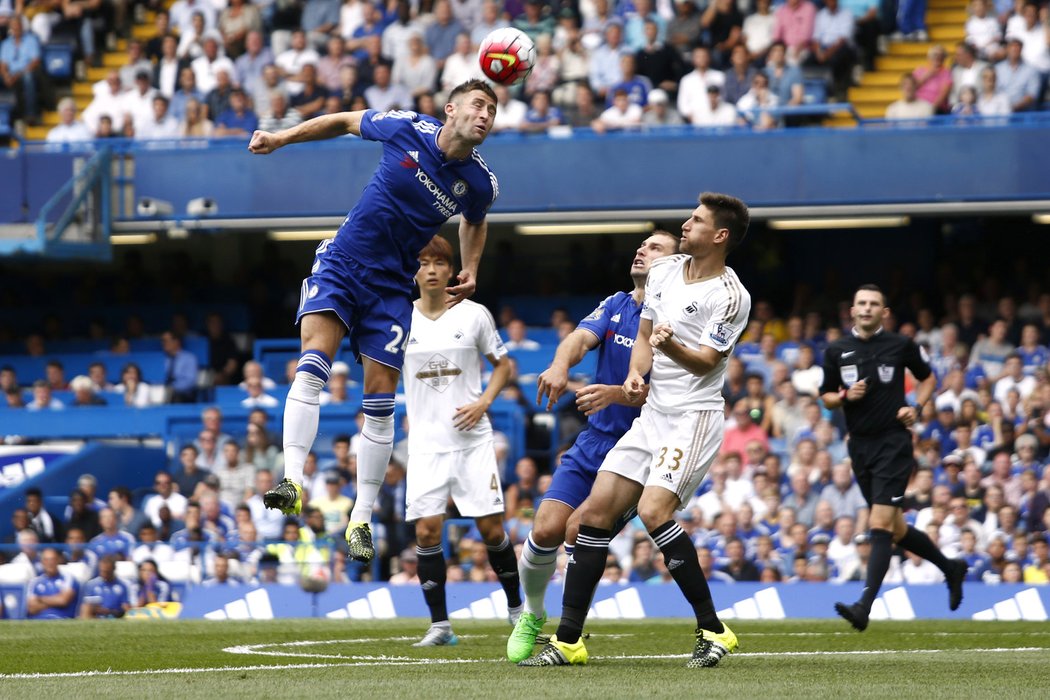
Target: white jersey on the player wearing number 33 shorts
[[713, 313]]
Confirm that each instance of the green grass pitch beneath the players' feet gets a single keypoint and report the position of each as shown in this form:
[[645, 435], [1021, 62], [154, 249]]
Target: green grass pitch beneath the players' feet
[[638, 660]]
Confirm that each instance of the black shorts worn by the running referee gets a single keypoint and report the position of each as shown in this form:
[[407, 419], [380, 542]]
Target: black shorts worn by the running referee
[[884, 466]]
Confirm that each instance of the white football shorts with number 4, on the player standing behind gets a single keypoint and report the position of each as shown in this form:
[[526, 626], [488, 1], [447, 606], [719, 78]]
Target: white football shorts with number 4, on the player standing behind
[[471, 477]]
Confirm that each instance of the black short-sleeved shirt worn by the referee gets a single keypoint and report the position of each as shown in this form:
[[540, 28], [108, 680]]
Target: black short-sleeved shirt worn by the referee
[[880, 362]]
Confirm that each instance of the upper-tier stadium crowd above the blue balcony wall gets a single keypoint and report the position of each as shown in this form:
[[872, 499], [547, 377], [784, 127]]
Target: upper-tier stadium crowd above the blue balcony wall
[[223, 69]]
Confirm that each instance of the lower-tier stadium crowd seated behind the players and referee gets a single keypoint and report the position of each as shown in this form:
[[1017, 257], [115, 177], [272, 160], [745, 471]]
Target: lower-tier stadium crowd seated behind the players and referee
[[780, 505]]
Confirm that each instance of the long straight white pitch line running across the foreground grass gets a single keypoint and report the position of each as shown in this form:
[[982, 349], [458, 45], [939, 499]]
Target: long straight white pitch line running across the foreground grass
[[398, 662]]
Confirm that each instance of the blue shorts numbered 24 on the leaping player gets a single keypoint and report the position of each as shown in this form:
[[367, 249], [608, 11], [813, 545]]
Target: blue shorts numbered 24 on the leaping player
[[374, 306]]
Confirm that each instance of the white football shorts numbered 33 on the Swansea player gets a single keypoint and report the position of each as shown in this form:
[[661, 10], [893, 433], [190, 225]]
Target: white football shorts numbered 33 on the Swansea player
[[674, 452]]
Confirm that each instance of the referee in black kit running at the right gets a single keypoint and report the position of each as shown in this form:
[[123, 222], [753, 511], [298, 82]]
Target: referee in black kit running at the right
[[865, 375]]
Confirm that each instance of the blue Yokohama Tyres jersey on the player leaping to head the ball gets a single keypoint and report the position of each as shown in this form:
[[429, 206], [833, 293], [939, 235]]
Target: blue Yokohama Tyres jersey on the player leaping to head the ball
[[414, 192]]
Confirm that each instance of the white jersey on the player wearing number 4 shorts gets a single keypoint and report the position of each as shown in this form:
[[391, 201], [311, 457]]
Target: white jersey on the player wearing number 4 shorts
[[443, 372]]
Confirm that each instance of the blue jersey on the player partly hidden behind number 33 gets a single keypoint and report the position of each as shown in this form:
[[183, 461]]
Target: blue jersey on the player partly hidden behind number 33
[[616, 324]]
